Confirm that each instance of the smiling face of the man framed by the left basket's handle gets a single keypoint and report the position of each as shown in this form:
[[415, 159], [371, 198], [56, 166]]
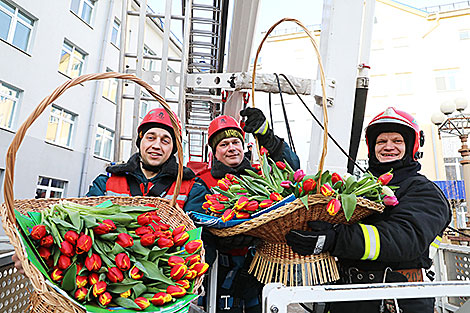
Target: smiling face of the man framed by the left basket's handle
[[156, 146]]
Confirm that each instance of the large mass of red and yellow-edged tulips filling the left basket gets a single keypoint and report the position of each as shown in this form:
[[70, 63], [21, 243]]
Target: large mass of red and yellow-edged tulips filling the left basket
[[114, 256]]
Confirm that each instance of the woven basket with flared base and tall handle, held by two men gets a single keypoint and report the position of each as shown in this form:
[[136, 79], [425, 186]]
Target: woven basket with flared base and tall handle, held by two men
[[274, 260]]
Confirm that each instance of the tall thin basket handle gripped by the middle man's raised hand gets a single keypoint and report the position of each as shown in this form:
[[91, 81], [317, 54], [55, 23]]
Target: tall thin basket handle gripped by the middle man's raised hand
[[322, 79]]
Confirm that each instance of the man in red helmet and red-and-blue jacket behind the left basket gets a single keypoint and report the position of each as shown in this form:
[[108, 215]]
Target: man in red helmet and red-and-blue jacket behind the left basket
[[153, 170]]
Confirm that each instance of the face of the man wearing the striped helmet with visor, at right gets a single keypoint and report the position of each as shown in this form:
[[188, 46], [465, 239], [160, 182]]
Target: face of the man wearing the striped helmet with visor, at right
[[389, 147]]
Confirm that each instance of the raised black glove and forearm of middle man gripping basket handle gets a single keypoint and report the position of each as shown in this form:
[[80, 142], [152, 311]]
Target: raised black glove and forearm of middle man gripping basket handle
[[257, 124]]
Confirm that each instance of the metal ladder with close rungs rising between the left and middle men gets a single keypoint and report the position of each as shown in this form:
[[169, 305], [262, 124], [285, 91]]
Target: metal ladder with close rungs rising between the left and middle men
[[206, 55]]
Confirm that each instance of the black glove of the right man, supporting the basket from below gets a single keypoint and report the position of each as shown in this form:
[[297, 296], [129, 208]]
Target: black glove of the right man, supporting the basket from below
[[319, 240]]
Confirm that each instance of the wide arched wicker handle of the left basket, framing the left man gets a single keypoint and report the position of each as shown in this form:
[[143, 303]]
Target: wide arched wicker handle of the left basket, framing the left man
[[16, 142]]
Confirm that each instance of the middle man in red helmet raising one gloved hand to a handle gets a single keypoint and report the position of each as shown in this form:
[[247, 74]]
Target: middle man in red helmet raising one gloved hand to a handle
[[237, 290]]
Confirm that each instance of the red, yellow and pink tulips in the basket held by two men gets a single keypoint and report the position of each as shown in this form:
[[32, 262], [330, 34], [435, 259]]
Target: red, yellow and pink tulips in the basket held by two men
[[241, 197]]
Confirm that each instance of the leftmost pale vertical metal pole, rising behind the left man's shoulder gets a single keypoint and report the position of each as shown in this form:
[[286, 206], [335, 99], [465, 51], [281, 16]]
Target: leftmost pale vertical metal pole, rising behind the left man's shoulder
[[120, 89]]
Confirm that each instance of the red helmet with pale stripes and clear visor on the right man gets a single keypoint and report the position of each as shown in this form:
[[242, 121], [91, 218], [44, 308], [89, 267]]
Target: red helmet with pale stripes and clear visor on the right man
[[394, 116]]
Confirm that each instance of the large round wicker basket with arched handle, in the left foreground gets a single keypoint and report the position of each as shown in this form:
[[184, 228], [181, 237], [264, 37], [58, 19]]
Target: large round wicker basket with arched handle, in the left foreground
[[45, 298]]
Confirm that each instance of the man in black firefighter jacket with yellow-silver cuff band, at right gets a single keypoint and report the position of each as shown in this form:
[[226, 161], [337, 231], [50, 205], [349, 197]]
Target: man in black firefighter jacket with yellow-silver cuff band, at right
[[392, 246]]
